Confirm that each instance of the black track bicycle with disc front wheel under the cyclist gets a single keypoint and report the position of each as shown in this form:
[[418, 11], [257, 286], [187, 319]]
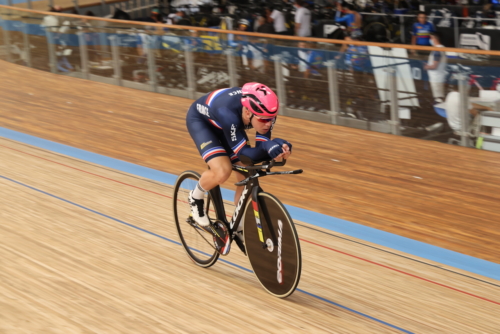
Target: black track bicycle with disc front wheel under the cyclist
[[269, 240]]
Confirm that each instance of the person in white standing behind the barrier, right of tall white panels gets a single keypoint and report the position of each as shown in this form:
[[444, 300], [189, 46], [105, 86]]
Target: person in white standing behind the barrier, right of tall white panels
[[436, 67]]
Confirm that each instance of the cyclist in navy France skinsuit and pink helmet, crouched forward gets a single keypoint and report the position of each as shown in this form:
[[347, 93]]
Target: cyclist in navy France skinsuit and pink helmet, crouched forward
[[217, 124]]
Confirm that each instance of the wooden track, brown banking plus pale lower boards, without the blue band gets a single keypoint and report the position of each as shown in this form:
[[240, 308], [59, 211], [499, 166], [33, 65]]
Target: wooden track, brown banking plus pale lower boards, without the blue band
[[84, 248]]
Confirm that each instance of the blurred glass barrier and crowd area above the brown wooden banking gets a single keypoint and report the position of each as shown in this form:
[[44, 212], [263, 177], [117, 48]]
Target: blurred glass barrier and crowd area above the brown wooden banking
[[410, 91]]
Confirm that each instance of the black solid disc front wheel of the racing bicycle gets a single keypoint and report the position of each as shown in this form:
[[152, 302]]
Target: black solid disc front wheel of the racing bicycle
[[278, 264]]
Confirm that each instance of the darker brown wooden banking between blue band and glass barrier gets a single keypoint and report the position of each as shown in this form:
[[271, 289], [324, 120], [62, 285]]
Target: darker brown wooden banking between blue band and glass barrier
[[440, 194]]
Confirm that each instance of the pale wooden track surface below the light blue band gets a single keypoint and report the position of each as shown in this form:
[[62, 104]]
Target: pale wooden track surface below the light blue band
[[66, 269]]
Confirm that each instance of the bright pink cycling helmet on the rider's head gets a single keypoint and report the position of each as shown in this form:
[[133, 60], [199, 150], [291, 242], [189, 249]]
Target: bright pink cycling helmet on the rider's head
[[259, 99]]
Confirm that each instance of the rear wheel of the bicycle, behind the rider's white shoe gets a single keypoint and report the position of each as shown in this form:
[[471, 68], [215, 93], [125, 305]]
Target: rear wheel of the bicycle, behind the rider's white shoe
[[197, 243]]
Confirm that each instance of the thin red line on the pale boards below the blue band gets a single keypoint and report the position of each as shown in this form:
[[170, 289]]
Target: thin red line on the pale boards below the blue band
[[313, 243]]
